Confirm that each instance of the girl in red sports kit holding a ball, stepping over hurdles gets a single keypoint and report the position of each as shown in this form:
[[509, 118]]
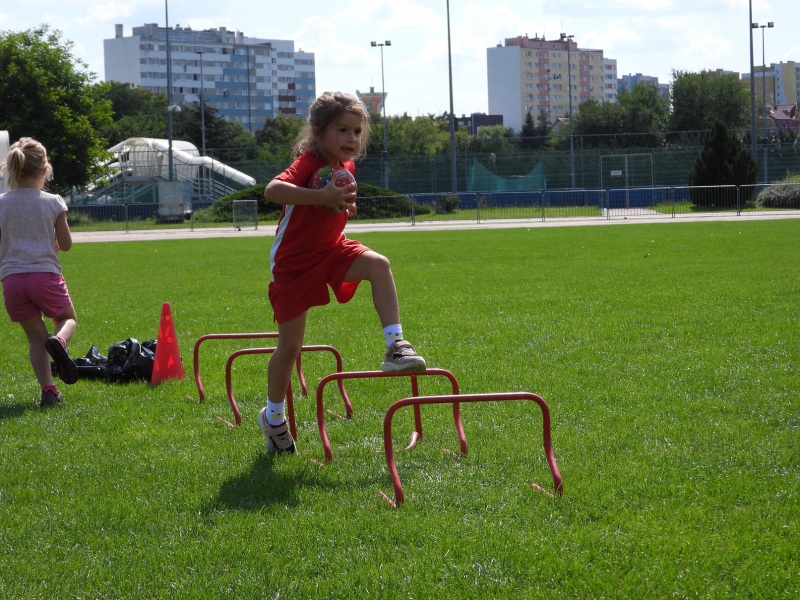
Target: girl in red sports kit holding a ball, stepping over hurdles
[[310, 253]]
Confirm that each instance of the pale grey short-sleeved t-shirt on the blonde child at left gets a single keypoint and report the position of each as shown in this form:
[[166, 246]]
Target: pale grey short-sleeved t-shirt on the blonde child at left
[[27, 232]]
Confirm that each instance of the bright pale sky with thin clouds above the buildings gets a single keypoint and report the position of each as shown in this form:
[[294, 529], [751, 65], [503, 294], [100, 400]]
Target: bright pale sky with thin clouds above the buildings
[[653, 37]]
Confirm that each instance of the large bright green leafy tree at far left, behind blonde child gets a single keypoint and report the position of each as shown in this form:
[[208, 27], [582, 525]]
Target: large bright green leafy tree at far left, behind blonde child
[[45, 95]]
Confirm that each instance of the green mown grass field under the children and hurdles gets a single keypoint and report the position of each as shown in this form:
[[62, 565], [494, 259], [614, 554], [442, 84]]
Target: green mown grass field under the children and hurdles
[[667, 353]]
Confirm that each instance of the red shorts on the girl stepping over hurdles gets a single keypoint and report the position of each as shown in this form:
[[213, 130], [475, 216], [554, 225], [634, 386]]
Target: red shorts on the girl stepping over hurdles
[[293, 293]]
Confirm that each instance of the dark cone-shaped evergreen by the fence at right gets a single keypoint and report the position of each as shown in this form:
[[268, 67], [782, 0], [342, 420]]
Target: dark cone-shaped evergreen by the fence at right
[[723, 161]]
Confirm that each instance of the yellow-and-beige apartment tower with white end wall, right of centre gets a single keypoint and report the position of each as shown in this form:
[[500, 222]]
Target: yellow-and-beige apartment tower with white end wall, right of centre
[[537, 75]]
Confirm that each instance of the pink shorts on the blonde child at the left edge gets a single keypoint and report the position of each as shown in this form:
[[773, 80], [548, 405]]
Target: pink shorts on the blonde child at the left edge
[[29, 295]]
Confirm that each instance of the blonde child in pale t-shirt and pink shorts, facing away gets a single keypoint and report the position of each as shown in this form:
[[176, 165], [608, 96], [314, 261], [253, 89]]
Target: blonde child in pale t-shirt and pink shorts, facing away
[[33, 228]]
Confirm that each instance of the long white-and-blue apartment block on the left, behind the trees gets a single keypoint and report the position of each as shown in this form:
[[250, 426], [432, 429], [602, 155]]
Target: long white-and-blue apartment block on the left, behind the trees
[[246, 79]]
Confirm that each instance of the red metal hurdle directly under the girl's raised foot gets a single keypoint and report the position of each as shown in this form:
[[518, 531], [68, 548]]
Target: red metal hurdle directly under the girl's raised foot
[[417, 435]]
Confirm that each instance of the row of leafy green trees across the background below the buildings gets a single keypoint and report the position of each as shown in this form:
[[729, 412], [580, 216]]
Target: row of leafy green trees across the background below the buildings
[[47, 93]]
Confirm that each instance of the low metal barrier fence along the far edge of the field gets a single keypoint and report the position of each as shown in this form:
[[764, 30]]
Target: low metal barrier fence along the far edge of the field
[[539, 205]]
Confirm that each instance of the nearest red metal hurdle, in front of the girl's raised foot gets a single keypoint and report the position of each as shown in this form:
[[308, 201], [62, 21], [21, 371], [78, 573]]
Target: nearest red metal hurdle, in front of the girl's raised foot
[[455, 400]]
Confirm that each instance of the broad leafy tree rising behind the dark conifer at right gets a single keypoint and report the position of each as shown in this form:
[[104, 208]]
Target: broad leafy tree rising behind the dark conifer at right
[[700, 99]]
